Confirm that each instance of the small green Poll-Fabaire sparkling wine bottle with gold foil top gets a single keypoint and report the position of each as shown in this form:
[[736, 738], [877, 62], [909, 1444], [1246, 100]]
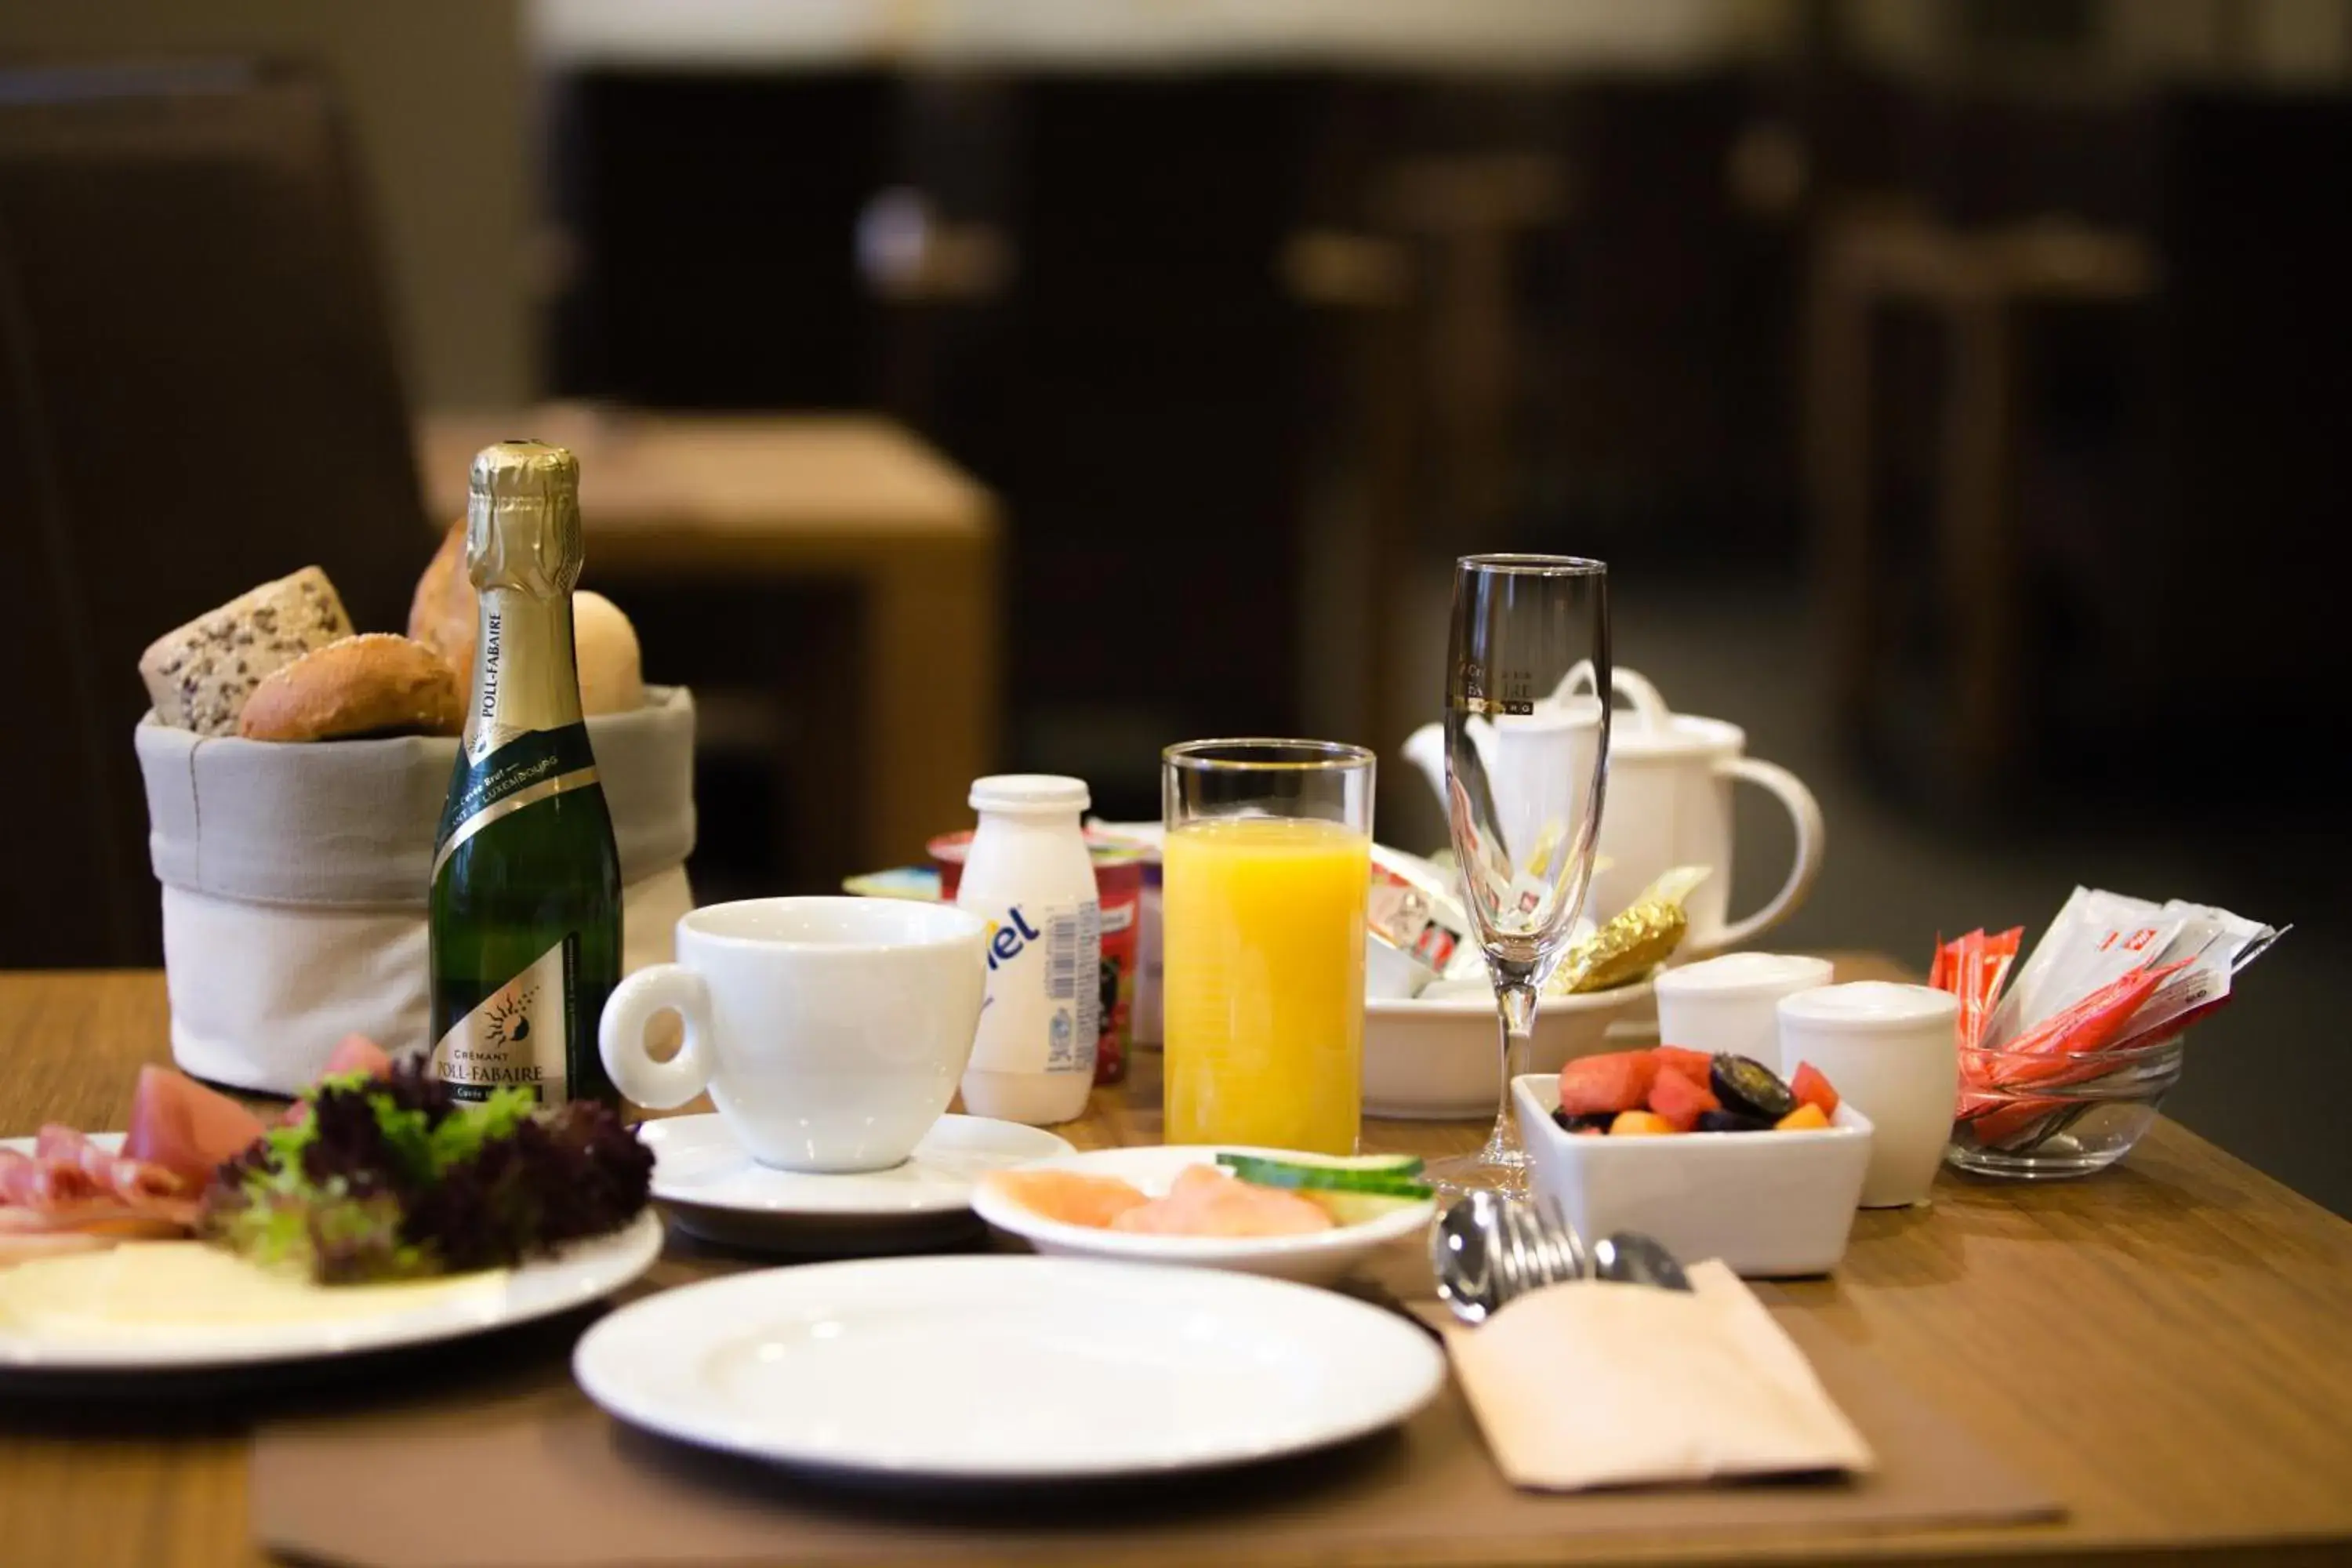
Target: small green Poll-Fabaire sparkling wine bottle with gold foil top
[[526, 873]]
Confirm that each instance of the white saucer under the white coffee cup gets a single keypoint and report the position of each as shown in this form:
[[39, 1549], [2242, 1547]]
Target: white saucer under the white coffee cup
[[716, 1191]]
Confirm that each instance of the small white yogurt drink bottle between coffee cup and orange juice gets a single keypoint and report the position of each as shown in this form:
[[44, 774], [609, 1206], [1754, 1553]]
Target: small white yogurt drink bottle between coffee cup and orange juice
[[1031, 878]]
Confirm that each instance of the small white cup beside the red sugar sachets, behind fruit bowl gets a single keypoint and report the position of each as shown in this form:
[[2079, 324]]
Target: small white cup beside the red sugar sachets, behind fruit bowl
[[1895, 1054]]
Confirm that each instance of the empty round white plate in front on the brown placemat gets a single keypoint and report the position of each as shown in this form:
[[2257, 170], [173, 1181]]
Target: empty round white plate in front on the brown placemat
[[1005, 1369]]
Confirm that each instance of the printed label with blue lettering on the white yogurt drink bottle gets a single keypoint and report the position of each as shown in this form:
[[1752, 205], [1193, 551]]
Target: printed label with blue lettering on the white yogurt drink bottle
[[1045, 1003]]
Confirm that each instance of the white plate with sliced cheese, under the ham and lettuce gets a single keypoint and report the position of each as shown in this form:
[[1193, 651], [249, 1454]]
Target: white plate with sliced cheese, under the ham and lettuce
[[187, 1306]]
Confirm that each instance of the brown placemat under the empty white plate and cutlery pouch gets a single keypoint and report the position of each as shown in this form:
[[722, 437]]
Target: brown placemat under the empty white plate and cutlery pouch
[[526, 1473]]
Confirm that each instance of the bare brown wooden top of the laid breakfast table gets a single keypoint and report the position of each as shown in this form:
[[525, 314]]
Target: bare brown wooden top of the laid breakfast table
[[2170, 1343]]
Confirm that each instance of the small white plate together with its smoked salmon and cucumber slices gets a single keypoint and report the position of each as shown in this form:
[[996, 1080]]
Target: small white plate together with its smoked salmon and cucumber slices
[[1222, 1207]]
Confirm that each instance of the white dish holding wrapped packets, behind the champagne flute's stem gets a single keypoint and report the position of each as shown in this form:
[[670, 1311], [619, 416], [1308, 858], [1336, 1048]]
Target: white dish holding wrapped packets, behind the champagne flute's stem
[[1441, 1059]]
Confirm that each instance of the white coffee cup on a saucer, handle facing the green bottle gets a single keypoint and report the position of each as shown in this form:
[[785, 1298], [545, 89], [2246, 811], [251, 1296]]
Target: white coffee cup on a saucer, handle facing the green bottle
[[829, 1031]]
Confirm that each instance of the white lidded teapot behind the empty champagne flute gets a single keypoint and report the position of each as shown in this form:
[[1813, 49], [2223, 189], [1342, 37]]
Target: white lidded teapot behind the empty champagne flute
[[1669, 803]]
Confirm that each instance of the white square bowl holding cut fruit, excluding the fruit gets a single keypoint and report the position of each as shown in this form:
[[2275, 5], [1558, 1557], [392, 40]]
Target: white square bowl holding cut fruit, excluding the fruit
[[1763, 1202]]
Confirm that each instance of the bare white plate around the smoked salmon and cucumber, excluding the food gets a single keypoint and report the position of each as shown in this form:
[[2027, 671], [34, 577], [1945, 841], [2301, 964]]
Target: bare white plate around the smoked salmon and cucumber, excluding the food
[[1316, 1259]]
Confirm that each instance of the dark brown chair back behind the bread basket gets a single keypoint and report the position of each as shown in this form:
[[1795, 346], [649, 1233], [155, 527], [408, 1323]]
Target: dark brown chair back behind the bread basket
[[199, 391]]
